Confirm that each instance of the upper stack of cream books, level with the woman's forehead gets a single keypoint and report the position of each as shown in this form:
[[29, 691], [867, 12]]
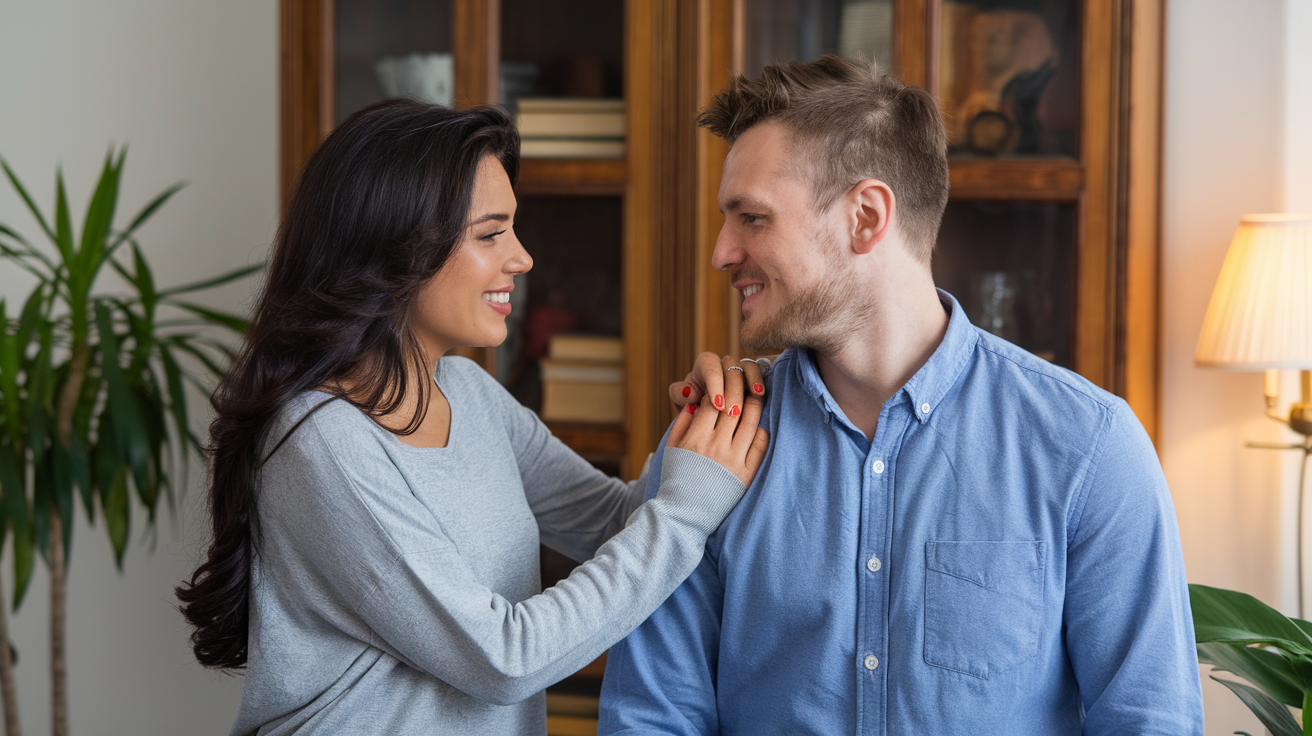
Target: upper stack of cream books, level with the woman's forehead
[[567, 128]]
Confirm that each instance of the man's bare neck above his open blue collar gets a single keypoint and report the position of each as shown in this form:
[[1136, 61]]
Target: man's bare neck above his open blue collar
[[905, 329]]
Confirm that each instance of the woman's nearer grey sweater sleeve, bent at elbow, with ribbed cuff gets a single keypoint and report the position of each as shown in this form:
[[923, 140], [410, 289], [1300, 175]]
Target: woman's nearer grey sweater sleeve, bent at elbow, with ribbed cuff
[[423, 604]]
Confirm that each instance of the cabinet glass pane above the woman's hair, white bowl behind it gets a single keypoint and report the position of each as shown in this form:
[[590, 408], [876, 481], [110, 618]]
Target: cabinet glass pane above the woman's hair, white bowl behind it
[[393, 49]]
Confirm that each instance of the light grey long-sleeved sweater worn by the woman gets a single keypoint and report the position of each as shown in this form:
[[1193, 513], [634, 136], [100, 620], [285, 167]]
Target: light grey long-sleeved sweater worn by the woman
[[397, 588]]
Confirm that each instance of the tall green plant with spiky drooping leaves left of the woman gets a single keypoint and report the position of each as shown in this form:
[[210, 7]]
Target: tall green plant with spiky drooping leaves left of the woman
[[92, 396]]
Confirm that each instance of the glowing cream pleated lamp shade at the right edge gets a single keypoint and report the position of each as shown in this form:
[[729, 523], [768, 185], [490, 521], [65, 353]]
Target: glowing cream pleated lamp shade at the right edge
[[1261, 310]]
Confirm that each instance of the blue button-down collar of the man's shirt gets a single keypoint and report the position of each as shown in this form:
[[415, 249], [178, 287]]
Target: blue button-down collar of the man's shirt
[[931, 384]]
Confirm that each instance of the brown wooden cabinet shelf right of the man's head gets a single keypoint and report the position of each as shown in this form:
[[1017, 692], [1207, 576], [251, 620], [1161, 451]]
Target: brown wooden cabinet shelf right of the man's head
[[1061, 180]]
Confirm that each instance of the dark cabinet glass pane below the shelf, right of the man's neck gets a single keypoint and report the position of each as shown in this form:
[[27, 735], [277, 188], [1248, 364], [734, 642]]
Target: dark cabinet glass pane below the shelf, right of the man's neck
[[1012, 267]]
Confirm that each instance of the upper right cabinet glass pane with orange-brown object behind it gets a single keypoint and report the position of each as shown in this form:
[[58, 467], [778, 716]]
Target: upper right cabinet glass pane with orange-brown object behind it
[[1010, 77]]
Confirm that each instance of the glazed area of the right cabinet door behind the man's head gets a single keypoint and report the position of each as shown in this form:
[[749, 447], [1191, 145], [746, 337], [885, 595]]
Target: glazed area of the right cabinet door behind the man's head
[[1008, 79]]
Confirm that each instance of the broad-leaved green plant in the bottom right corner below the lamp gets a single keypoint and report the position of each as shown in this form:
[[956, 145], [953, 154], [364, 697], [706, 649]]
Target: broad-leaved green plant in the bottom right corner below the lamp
[[1242, 636]]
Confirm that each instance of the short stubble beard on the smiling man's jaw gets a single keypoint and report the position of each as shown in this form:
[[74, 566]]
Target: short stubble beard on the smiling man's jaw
[[823, 318]]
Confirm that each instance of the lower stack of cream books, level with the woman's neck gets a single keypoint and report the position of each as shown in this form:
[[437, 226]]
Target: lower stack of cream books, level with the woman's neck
[[583, 380]]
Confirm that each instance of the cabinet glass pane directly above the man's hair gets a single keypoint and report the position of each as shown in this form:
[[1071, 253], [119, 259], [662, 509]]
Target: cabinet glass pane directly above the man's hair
[[779, 31]]
